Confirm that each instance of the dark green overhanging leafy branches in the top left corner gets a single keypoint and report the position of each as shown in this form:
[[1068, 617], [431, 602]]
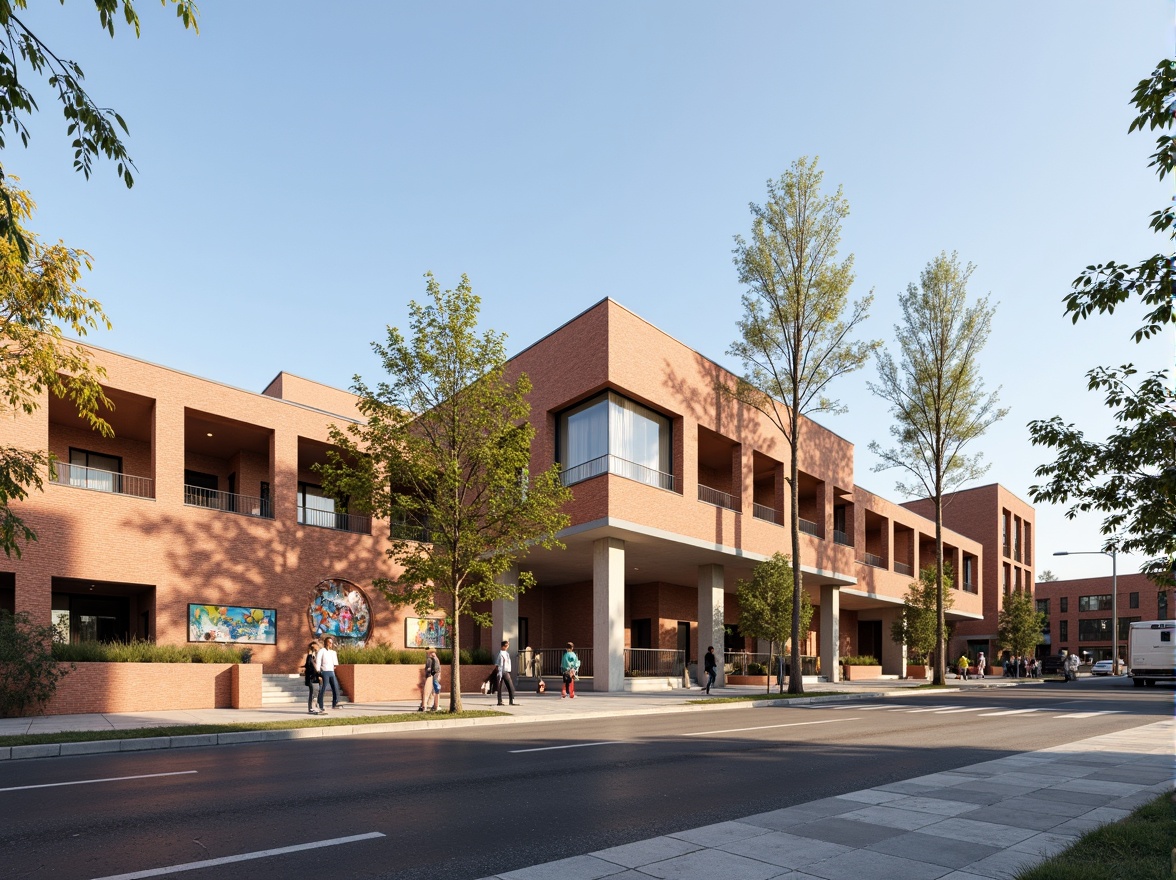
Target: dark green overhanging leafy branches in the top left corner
[[95, 130]]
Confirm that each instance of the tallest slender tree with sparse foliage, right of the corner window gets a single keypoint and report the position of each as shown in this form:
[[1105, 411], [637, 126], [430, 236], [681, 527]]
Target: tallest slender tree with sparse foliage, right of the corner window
[[794, 339]]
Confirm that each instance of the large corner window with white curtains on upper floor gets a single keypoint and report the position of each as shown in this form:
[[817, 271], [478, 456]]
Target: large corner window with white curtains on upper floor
[[614, 435]]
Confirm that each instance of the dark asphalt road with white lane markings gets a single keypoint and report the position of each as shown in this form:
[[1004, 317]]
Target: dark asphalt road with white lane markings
[[476, 802]]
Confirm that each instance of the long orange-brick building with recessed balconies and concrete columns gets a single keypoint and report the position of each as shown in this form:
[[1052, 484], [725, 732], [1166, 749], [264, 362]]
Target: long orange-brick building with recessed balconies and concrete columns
[[206, 499]]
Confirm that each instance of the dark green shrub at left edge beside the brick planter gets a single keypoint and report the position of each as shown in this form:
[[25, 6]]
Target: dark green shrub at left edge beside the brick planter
[[29, 671]]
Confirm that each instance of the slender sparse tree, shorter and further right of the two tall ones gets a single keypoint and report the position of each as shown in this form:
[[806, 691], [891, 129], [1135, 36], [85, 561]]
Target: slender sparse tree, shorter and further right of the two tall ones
[[938, 398]]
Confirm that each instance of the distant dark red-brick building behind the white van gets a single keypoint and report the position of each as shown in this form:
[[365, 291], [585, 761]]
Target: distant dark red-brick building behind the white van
[[1079, 612]]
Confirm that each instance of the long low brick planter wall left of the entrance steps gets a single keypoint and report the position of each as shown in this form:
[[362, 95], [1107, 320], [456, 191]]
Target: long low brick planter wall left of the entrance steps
[[156, 688]]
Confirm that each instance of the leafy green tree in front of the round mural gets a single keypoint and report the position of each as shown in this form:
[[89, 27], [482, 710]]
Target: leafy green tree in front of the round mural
[[445, 456]]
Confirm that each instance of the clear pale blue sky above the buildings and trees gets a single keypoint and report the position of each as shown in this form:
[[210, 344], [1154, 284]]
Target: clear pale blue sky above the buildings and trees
[[302, 165]]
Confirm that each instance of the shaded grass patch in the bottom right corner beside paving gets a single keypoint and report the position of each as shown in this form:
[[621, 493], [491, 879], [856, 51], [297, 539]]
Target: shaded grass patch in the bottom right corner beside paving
[[1140, 848]]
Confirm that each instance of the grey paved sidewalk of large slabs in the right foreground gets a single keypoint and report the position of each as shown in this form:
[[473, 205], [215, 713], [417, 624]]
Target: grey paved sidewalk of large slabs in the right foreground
[[983, 822]]
